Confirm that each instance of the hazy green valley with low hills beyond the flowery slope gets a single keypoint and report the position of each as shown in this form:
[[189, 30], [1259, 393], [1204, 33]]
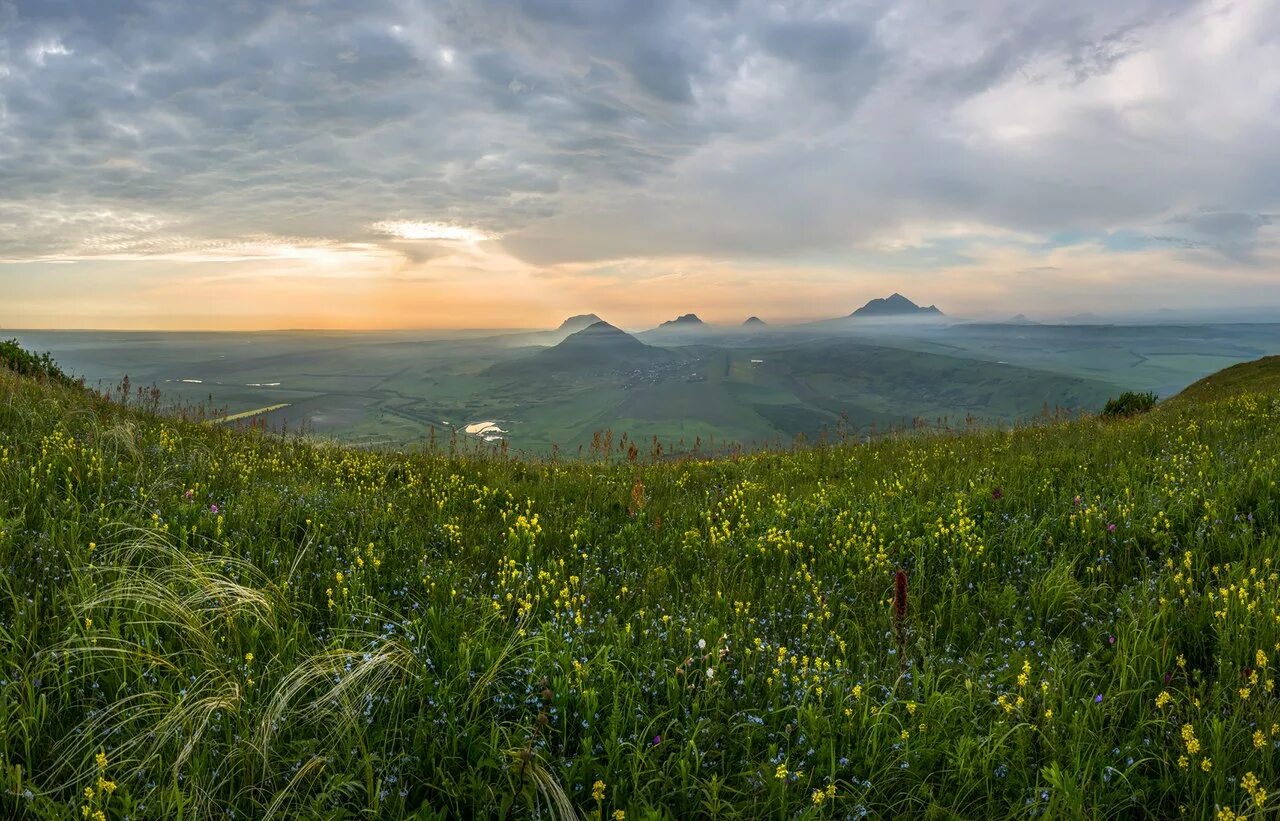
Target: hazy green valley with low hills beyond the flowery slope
[[685, 384]]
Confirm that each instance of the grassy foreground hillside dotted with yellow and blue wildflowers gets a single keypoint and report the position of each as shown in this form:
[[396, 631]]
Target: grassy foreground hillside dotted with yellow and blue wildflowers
[[199, 622]]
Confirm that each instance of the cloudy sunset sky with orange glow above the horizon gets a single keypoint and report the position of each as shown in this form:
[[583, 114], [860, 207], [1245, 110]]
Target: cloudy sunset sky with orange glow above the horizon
[[479, 165]]
